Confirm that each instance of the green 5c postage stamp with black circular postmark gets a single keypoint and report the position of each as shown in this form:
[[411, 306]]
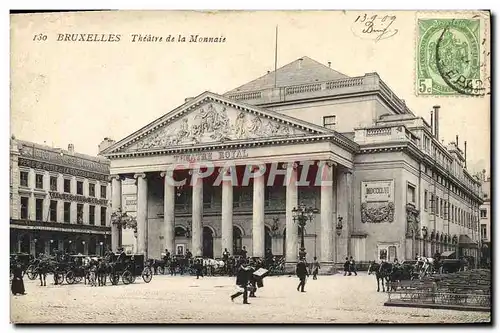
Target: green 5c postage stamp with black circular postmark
[[449, 57]]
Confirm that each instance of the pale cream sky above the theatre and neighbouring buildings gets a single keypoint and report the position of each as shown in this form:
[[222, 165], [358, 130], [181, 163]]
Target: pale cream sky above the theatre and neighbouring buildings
[[81, 92]]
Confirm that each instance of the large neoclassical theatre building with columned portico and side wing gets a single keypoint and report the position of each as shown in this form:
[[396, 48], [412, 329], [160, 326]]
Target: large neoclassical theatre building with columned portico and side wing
[[396, 192]]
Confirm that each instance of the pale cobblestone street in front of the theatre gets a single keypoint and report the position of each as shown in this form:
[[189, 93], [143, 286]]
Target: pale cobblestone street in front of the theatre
[[330, 299]]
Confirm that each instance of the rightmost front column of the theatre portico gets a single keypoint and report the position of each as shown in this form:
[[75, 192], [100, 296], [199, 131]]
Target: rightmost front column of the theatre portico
[[327, 218]]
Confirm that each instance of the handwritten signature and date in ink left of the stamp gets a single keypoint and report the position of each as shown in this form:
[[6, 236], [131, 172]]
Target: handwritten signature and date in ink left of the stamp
[[375, 26]]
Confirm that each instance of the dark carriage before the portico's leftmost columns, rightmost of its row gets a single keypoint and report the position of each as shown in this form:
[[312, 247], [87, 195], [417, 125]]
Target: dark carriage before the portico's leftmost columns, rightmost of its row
[[133, 265]]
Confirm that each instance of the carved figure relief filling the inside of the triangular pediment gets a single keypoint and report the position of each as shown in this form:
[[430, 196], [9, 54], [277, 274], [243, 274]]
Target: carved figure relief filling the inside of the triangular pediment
[[215, 122]]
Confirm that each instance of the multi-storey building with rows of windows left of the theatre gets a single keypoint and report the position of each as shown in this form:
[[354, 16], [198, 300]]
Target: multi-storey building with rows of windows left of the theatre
[[59, 200]]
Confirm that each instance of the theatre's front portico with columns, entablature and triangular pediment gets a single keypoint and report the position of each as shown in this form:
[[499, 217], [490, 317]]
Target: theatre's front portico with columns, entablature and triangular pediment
[[220, 153]]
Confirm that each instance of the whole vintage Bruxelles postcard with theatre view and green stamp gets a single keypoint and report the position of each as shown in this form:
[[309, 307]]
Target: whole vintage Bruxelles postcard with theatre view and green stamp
[[250, 167]]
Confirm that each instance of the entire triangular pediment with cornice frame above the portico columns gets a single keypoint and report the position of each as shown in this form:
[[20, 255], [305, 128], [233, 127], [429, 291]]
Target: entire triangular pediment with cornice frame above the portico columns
[[211, 118]]
